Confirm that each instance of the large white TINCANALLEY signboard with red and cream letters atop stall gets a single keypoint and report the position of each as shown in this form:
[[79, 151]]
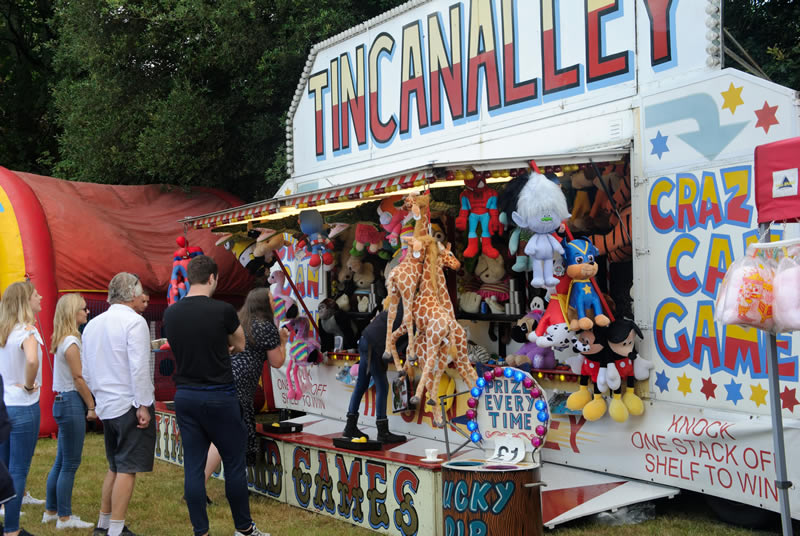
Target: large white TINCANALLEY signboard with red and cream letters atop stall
[[442, 82]]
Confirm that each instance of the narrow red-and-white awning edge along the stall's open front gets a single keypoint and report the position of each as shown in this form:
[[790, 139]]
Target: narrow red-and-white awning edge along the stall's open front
[[261, 209]]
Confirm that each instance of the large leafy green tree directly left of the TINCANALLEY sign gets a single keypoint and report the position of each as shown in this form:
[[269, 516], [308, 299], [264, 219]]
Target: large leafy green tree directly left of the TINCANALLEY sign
[[186, 92]]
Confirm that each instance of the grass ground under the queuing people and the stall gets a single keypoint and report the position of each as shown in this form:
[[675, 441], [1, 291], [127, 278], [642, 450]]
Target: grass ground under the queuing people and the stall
[[158, 510]]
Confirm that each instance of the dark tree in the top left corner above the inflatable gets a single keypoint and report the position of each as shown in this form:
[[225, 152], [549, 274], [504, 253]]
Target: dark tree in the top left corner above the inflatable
[[27, 134]]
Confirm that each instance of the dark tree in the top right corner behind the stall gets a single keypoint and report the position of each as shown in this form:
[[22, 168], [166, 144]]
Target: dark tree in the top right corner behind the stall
[[769, 30]]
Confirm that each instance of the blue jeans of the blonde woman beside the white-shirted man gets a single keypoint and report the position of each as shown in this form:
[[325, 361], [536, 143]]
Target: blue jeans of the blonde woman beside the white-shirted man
[[69, 411]]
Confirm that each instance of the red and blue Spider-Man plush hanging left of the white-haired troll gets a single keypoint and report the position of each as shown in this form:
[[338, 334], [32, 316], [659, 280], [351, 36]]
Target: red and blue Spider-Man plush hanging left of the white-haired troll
[[479, 205]]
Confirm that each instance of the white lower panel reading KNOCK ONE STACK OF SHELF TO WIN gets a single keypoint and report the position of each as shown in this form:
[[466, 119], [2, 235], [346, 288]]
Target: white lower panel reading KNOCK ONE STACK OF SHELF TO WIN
[[720, 453]]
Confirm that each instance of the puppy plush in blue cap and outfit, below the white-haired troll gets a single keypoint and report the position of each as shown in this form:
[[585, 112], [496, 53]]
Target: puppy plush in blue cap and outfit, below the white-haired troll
[[581, 267]]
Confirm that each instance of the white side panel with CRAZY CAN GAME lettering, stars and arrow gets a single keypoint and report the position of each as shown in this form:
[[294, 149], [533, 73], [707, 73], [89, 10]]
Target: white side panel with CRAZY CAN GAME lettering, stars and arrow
[[697, 208]]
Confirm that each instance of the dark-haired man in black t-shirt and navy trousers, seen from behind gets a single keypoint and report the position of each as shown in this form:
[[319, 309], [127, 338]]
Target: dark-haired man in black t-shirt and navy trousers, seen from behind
[[202, 333]]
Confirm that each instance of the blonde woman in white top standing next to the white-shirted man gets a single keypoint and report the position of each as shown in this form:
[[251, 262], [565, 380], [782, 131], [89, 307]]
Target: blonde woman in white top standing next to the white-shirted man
[[73, 405]]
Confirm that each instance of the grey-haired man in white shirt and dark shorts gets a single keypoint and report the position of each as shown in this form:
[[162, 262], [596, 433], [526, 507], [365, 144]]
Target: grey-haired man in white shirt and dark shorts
[[116, 366]]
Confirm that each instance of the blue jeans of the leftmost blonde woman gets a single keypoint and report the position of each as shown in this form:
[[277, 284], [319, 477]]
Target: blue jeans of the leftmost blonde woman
[[17, 454]]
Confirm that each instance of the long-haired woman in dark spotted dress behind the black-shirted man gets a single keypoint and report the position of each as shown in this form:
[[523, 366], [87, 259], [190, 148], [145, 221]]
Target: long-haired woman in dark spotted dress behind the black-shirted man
[[263, 343]]
